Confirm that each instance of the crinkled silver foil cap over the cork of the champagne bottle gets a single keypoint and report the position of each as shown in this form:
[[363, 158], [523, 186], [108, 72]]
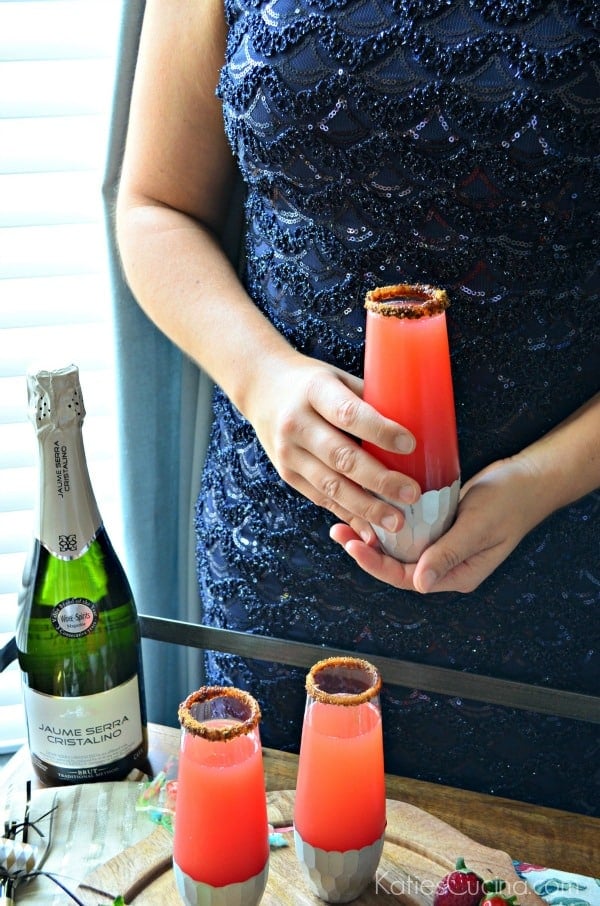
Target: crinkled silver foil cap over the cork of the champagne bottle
[[55, 398]]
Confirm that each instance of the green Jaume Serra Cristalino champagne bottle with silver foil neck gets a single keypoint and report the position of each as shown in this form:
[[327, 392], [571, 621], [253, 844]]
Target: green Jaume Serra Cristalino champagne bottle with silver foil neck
[[78, 634]]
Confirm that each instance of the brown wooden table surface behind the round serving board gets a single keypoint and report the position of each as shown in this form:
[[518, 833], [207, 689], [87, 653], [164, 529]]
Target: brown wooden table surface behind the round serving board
[[529, 833]]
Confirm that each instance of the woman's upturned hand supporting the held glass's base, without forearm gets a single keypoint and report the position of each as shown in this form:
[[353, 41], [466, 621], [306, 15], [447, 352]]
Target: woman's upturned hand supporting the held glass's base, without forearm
[[497, 508]]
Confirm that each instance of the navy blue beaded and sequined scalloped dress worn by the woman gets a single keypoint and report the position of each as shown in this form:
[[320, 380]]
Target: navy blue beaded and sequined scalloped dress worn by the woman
[[451, 142]]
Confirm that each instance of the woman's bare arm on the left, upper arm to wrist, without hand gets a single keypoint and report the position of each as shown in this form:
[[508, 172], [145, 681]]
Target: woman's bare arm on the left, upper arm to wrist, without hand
[[175, 187]]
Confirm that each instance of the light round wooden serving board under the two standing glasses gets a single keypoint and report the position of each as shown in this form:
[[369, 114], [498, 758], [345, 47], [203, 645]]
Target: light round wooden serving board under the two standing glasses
[[419, 850]]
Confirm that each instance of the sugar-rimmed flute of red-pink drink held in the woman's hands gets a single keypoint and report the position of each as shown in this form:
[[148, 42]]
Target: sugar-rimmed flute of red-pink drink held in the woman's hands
[[408, 379]]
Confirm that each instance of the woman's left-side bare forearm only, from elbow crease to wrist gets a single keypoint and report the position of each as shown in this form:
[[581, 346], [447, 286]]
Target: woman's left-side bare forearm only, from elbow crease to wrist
[[182, 279]]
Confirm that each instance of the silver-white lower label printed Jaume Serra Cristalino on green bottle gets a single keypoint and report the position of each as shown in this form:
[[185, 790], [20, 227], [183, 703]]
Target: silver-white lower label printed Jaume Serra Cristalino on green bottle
[[84, 731]]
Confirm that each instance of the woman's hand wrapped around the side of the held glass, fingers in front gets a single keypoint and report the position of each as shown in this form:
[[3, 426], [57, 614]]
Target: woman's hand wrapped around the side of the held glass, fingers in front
[[310, 419]]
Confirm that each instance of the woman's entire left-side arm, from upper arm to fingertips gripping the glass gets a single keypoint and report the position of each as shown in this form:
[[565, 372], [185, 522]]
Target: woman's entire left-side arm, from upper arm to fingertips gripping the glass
[[176, 183]]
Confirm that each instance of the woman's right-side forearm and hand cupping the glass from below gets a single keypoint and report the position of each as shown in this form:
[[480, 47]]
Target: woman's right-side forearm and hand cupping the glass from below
[[497, 508]]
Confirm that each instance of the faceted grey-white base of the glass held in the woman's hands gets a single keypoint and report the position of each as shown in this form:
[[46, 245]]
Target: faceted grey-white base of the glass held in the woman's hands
[[425, 522]]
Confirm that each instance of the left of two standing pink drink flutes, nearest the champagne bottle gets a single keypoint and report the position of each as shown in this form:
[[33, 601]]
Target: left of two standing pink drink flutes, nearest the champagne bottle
[[221, 837]]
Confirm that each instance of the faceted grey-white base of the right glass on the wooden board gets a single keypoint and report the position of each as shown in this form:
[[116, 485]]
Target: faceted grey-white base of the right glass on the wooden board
[[338, 877]]
